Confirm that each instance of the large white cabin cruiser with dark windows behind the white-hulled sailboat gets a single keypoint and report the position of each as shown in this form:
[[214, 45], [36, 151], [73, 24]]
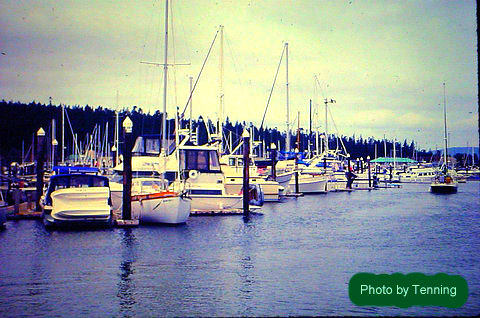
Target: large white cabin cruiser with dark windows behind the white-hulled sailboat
[[192, 171]]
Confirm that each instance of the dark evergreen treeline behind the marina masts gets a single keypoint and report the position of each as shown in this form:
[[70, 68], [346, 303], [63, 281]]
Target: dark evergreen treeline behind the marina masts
[[19, 122]]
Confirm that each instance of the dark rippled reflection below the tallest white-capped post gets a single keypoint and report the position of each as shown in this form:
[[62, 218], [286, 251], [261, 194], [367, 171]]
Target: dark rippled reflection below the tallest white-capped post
[[126, 285]]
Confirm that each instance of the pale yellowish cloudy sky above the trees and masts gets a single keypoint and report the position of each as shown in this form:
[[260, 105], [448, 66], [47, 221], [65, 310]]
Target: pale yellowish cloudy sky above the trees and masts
[[383, 62]]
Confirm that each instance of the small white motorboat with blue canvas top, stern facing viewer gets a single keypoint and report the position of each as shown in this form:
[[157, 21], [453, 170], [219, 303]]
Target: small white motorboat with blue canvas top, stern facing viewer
[[77, 199]]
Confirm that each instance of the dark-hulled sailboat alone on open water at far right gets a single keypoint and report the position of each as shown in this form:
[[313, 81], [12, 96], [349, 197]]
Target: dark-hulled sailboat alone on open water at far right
[[445, 181]]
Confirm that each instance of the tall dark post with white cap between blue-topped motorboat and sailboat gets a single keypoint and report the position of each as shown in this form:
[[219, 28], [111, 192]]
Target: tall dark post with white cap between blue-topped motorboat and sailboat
[[127, 170]]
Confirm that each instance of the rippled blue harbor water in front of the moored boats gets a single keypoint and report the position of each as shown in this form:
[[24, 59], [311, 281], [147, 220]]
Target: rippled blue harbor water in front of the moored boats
[[296, 259]]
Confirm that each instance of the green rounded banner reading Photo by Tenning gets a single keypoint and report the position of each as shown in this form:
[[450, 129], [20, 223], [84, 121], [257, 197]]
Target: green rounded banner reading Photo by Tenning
[[415, 289]]
